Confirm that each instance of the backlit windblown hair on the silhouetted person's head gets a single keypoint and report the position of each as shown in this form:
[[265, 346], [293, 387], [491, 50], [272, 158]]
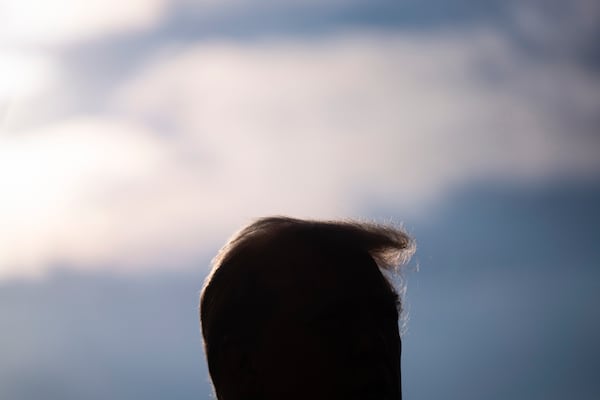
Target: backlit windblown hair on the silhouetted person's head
[[235, 296]]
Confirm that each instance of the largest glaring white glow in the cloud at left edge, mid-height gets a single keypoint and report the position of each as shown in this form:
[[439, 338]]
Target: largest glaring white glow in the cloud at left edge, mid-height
[[50, 181]]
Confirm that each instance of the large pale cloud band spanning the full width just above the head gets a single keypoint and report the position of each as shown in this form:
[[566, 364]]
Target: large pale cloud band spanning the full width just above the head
[[205, 137]]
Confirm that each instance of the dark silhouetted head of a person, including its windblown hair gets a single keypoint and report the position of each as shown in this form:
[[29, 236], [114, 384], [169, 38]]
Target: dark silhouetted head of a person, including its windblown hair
[[298, 309]]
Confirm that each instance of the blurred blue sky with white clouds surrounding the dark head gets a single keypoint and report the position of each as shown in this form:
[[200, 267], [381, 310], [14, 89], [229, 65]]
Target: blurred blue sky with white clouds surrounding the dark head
[[136, 136]]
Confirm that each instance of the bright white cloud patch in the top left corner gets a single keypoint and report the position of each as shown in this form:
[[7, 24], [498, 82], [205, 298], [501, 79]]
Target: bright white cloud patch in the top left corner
[[70, 21]]
